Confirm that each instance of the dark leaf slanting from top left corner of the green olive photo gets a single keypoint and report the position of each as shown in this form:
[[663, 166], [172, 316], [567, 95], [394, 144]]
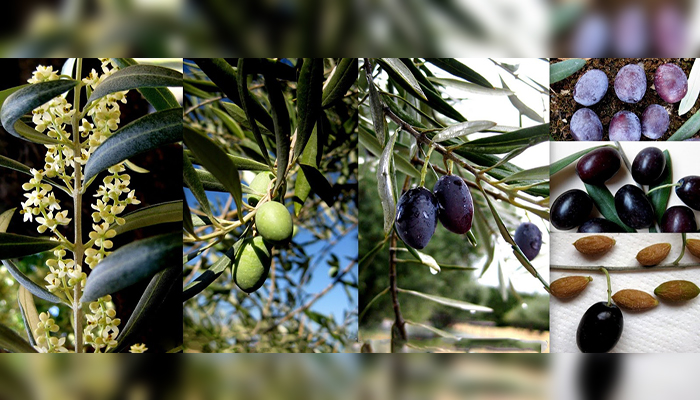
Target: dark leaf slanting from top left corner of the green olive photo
[[224, 76]]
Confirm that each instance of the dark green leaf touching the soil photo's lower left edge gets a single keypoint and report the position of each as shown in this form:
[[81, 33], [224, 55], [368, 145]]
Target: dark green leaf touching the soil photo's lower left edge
[[507, 142]]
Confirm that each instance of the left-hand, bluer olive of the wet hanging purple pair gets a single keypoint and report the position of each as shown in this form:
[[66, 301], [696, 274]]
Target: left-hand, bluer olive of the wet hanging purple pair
[[416, 217]]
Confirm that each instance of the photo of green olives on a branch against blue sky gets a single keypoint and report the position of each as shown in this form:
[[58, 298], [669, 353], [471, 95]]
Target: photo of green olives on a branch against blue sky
[[270, 176]]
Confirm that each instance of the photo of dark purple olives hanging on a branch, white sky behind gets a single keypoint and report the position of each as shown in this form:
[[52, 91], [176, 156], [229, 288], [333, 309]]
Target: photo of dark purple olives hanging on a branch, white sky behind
[[454, 184]]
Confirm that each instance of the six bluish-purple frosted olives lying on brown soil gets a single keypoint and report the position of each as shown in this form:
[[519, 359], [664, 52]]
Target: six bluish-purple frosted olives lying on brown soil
[[630, 85]]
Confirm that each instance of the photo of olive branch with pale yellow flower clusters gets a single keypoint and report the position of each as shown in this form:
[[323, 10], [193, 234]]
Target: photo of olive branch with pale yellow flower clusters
[[90, 205]]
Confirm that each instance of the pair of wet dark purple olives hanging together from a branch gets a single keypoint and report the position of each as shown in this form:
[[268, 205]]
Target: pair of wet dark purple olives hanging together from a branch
[[419, 209]]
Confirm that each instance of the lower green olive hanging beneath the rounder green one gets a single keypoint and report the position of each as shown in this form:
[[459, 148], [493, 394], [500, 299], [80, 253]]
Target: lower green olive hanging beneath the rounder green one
[[252, 265]]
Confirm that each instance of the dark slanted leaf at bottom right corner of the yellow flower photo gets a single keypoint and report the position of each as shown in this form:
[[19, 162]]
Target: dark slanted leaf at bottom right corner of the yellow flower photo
[[152, 298]]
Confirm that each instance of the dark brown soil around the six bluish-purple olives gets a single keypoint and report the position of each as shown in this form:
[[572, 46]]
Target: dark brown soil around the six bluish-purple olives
[[563, 106]]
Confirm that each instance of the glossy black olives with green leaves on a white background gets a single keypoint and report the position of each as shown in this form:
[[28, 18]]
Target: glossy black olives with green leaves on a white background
[[572, 208]]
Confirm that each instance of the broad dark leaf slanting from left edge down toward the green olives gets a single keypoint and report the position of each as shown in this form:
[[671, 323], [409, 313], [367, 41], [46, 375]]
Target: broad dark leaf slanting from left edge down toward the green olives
[[216, 161]]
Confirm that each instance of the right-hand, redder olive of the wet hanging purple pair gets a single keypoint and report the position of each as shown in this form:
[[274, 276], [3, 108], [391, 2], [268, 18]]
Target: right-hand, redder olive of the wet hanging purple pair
[[455, 205]]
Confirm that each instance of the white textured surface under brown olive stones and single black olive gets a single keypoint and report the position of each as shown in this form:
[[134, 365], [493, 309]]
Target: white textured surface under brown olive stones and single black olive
[[668, 328]]
